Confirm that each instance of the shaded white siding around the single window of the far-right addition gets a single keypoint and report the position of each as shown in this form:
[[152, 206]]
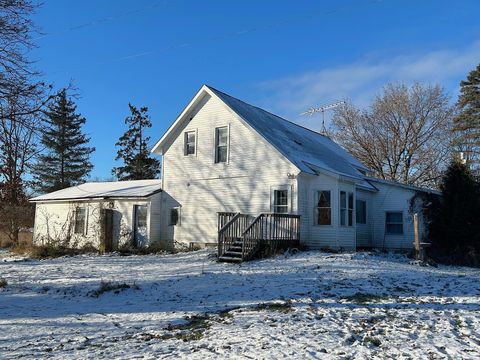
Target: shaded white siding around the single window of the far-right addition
[[392, 198]]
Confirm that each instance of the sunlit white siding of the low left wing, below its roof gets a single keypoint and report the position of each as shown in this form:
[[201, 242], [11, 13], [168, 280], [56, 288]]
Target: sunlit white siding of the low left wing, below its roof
[[52, 221]]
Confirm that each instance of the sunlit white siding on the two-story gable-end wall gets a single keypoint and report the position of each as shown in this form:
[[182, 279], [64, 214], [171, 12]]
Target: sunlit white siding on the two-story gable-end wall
[[201, 188]]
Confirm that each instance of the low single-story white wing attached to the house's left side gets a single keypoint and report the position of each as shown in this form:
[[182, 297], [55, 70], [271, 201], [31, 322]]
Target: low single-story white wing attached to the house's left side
[[102, 215]]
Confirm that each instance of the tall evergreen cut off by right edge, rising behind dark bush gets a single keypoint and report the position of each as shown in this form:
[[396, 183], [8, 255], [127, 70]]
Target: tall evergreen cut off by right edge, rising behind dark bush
[[467, 123]]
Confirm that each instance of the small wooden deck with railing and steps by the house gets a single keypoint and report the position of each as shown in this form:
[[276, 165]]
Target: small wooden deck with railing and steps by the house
[[242, 237]]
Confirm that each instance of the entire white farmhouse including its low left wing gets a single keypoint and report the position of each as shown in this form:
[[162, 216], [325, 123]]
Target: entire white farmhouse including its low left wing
[[240, 177]]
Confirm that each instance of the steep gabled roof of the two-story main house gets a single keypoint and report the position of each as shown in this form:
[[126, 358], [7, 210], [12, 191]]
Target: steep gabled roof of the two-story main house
[[305, 148]]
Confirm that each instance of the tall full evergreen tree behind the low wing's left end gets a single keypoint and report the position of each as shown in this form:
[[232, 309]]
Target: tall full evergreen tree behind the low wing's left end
[[66, 159]]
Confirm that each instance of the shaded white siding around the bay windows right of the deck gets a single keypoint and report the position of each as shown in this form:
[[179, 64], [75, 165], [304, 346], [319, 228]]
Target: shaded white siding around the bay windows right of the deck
[[323, 236]]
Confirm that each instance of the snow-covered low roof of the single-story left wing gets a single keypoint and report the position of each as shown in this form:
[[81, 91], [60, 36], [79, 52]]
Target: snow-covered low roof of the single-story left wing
[[112, 189]]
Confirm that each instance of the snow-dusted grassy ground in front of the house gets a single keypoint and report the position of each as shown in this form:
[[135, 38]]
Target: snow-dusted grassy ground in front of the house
[[308, 305]]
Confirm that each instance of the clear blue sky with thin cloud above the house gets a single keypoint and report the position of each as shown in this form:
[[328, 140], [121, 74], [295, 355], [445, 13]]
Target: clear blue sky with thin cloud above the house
[[282, 55]]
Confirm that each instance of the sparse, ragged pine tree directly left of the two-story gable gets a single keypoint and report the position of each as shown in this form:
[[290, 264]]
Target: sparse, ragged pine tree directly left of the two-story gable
[[133, 150]]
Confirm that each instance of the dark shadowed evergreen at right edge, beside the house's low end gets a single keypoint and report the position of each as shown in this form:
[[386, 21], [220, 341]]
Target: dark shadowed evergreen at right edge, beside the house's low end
[[455, 227]]
